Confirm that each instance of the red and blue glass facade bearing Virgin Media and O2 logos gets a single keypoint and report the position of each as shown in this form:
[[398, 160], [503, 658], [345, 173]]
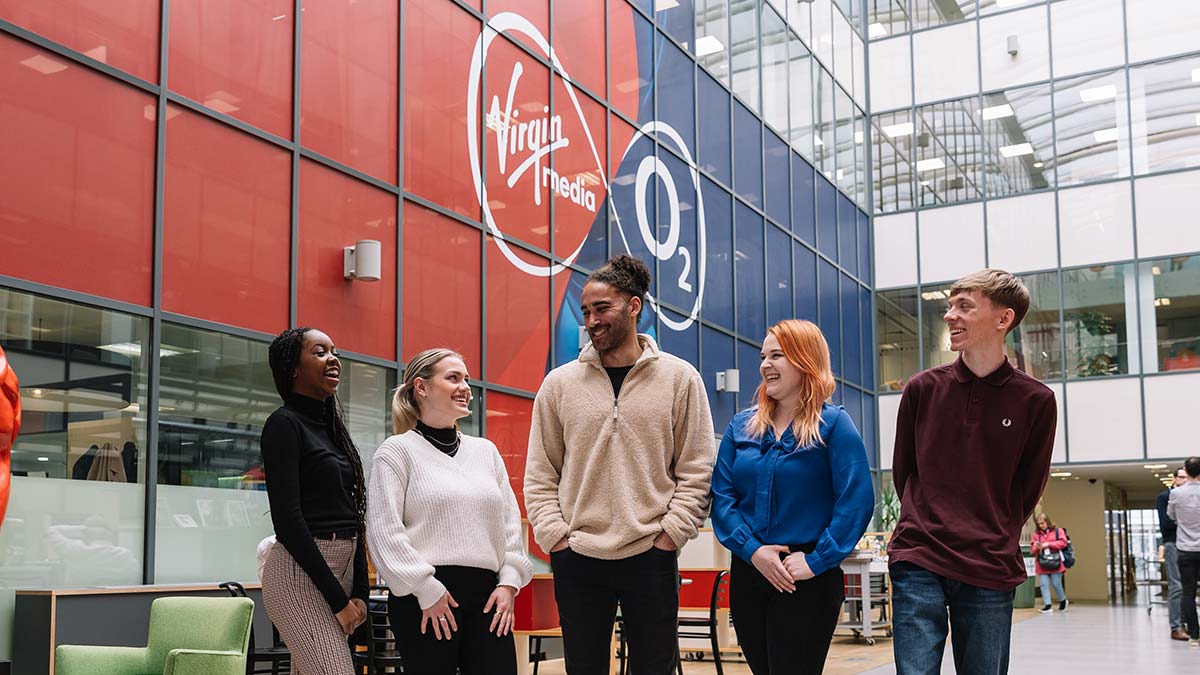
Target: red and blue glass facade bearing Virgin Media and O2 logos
[[183, 190]]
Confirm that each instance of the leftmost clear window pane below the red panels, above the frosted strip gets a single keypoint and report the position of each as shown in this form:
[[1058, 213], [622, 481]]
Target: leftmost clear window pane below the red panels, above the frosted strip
[[83, 386]]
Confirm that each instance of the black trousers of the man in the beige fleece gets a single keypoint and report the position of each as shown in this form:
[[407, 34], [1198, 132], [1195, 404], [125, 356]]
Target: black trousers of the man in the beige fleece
[[589, 592]]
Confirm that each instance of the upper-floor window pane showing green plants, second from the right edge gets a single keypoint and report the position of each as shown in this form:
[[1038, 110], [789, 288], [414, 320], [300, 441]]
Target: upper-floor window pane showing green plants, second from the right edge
[[1099, 303]]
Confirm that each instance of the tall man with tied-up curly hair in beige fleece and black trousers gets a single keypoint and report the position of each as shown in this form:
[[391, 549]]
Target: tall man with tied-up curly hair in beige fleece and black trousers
[[621, 457]]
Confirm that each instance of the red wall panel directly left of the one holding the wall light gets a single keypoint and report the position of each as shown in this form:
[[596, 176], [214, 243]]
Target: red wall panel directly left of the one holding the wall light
[[226, 208]]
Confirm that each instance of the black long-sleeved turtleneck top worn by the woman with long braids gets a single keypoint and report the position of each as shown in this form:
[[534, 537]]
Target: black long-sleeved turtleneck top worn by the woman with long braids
[[310, 485]]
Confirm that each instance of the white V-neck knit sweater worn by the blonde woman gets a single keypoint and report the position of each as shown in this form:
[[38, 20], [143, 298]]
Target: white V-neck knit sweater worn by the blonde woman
[[427, 509]]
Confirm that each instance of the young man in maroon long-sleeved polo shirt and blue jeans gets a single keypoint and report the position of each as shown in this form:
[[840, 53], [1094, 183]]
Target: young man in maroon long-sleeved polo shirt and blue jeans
[[973, 456]]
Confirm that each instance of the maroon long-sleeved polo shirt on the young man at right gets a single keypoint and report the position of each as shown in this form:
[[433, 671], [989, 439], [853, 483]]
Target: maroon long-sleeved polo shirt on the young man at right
[[973, 456]]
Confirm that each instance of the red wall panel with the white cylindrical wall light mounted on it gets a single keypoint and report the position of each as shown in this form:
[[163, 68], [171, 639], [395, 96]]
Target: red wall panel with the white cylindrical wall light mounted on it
[[337, 212]]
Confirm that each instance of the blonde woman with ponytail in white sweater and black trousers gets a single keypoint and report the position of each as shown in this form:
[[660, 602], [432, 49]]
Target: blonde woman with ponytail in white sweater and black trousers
[[445, 529]]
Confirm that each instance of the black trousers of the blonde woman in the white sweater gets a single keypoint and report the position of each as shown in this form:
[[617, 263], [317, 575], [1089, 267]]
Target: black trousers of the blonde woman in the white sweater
[[472, 649]]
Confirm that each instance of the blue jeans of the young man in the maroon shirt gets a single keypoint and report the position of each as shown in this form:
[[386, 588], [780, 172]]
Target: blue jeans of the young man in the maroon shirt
[[981, 622]]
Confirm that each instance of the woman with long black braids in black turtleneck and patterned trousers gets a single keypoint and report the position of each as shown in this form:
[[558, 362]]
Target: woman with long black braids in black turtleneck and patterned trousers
[[315, 580]]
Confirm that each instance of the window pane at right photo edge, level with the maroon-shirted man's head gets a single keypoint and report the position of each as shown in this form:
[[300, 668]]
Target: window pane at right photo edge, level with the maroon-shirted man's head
[[1174, 310]]
